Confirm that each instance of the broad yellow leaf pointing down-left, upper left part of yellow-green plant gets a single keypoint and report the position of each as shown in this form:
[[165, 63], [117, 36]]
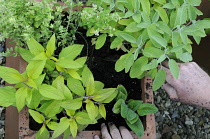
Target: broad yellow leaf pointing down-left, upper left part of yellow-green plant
[[35, 68]]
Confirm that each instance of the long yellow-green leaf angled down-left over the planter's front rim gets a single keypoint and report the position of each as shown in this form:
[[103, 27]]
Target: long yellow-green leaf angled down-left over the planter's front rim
[[61, 127]]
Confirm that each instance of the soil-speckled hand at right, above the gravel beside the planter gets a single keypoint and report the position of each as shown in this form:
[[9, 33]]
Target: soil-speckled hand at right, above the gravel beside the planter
[[192, 86]]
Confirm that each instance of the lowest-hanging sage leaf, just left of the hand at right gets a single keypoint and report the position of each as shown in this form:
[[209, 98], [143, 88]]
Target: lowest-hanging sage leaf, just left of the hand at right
[[159, 79]]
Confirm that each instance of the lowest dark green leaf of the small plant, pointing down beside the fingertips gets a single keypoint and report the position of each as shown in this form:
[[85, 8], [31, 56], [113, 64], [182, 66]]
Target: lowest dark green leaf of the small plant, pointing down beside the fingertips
[[136, 127]]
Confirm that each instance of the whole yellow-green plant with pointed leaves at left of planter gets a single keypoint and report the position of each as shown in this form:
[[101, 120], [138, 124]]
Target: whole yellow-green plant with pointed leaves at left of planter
[[73, 92]]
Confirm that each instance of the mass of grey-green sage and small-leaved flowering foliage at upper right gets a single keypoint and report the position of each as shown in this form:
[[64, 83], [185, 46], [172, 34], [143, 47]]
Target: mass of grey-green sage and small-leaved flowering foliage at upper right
[[150, 31]]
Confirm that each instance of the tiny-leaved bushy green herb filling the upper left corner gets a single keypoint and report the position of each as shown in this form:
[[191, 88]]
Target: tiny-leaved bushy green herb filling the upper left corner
[[24, 19]]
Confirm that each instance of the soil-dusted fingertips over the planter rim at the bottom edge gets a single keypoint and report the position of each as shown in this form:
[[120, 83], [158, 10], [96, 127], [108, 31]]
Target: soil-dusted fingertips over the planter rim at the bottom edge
[[122, 133]]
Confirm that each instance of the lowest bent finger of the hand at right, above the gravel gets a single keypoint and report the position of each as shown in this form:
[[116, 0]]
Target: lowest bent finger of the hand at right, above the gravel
[[170, 91]]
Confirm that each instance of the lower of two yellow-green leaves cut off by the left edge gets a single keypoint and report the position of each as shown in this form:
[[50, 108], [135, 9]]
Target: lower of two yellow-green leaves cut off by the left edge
[[7, 96]]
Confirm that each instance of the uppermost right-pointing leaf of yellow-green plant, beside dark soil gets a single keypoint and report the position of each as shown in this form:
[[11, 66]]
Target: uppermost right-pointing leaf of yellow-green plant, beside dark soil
[[71, 52]]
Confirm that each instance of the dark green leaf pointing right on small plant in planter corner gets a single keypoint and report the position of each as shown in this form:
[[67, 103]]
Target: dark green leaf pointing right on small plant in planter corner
[[146, 109]]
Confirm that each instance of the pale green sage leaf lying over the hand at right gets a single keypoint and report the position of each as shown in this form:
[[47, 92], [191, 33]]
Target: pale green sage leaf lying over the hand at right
[[174, 68]]
